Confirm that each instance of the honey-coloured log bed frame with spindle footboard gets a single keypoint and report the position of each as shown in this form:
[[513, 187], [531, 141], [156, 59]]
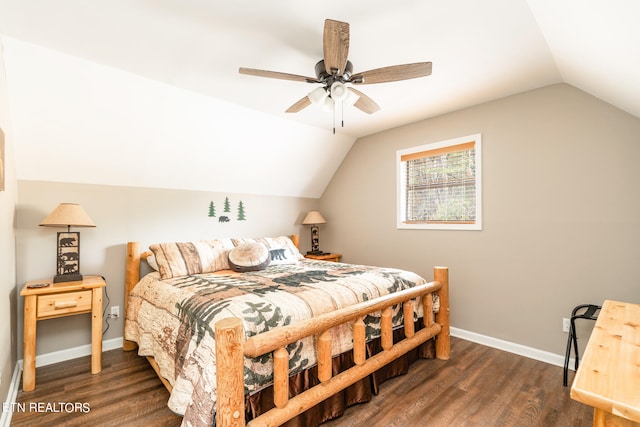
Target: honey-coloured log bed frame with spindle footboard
[[231, 346]]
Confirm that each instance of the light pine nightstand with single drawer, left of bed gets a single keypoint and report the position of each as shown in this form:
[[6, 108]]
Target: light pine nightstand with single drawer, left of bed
[[58, 300]]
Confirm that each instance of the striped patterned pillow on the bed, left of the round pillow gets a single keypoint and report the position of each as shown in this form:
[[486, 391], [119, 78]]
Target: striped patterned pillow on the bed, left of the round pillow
[[181, 259]]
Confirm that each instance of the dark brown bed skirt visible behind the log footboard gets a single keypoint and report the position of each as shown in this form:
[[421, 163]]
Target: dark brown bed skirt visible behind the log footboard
[[360, 392]]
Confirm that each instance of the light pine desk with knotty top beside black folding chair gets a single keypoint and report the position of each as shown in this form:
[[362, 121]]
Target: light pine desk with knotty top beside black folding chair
[[609, 374]]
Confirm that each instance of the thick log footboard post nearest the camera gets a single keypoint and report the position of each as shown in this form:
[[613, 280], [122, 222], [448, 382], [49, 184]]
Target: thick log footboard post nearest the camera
[[230, 372]]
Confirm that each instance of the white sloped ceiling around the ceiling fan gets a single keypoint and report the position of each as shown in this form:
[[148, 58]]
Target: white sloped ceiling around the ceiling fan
[[147, 93]]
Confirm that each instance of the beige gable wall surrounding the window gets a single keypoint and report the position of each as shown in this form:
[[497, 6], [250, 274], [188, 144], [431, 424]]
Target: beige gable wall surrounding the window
[[561, 212]]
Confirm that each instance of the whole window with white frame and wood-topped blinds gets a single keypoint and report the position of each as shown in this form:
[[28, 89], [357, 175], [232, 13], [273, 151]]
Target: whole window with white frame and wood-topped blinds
[[439, 185]]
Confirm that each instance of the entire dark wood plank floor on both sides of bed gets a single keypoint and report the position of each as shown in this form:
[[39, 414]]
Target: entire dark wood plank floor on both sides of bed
[[479, 386]]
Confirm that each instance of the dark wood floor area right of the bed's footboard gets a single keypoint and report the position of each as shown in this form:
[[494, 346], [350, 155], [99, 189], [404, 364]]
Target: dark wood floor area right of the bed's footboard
[[479, 386]]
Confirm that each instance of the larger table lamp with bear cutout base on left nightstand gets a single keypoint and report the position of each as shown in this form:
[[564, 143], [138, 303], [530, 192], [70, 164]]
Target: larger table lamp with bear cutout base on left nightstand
[[68, 244]]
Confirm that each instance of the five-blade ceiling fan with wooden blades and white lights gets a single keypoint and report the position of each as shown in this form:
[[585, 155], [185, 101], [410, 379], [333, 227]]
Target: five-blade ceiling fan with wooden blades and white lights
[[334, 72]]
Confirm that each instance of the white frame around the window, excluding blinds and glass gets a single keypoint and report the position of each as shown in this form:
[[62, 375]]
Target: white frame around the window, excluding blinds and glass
[[401, 190]]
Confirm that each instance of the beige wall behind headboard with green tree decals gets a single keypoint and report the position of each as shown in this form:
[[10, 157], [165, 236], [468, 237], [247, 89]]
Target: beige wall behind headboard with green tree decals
[[132, 214]]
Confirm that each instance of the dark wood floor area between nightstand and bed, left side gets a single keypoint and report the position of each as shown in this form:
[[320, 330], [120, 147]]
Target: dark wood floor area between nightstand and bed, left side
[[126, 393]]
